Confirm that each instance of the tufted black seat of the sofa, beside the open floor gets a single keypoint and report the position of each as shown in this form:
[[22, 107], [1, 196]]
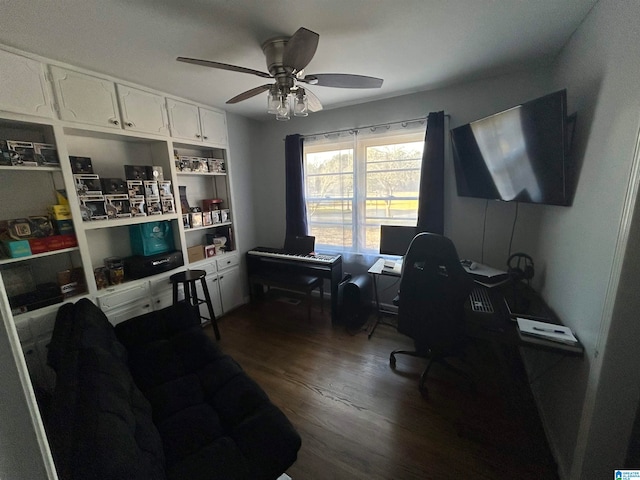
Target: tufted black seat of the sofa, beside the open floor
[[214, 420]]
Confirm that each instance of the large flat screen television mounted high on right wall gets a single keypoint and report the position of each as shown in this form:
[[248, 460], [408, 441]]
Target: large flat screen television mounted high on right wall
[[520, 154]]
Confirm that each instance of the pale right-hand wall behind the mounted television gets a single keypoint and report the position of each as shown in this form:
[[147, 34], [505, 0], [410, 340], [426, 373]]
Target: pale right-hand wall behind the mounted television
[[601, 68]]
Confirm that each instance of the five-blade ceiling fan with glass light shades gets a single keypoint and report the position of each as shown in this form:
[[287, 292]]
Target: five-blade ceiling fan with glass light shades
[[287, 57]]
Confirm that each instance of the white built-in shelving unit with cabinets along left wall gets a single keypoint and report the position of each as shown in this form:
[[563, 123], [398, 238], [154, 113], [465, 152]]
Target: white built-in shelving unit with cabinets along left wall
[[115, 123]]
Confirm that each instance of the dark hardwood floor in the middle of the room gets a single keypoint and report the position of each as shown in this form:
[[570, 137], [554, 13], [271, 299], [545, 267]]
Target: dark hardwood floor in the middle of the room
[[359, 419]]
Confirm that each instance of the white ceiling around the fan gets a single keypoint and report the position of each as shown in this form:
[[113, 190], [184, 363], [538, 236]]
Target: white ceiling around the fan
[[413, 45]]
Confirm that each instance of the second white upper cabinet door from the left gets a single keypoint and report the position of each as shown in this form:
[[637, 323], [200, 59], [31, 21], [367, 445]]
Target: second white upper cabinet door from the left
[[86, 99]]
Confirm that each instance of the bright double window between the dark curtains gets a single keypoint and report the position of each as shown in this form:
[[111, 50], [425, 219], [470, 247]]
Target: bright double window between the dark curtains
[[356, 182]]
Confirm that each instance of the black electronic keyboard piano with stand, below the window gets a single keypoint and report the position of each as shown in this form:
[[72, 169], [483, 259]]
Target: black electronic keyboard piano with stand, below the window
[[325, 266]]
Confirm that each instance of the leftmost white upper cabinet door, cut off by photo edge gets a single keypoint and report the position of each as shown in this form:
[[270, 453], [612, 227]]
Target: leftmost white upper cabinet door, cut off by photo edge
[[23, 86]]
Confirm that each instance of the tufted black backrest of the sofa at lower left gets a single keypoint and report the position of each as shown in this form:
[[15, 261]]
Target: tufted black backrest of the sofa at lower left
[[100, 425]]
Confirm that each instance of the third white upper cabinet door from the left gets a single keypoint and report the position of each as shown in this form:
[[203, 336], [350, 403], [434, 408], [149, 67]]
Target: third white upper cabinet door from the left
[[142, 111]]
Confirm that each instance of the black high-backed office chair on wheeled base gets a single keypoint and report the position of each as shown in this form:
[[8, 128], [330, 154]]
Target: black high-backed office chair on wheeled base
[[433, 290]]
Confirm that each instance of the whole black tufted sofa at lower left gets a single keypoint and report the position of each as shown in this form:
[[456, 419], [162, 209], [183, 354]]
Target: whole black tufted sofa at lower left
[[155, 398]]
